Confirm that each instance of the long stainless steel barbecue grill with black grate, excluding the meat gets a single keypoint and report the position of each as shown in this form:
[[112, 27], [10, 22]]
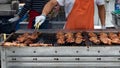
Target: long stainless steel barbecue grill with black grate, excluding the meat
[[60, 56]]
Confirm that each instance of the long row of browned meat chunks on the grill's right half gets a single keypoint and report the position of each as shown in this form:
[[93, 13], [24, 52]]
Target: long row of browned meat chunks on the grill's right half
[[96, 38]]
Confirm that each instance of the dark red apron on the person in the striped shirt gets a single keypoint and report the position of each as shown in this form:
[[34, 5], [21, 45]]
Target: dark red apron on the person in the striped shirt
[[32, 15]]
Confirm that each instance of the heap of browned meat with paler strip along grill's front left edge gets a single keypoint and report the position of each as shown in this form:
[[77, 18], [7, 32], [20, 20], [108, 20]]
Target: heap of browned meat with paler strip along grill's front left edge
[[26, 39]]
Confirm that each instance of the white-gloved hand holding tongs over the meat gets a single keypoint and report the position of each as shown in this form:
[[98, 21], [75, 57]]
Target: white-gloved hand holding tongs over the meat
[[39, 20]]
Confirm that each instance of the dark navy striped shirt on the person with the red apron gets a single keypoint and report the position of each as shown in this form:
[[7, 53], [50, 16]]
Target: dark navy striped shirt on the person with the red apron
[[36, 5]]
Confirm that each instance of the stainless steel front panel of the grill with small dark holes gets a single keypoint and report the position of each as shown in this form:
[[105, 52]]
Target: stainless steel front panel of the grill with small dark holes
[[62, 57]]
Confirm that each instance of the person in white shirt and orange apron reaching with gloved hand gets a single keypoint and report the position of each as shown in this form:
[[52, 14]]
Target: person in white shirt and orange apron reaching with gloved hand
[[79, 13]]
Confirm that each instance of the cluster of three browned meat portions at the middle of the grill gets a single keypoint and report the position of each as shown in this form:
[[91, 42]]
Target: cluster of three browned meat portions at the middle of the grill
[[69, 37]]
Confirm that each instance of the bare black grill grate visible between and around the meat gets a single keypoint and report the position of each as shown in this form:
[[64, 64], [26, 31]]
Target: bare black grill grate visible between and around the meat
[[50, 38]]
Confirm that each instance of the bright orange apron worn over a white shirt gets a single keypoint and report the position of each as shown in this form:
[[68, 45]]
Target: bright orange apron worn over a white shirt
[[81, 16]]
